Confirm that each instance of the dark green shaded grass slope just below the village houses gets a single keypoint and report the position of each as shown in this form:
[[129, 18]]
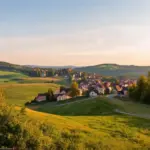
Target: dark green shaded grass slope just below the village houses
[[91, 107]]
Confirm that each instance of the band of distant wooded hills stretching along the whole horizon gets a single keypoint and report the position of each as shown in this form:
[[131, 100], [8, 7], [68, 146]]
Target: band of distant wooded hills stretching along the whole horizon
[[113, 70]]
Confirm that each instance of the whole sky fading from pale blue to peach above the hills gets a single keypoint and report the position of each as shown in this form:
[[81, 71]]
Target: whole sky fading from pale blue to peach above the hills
[[75, 32]]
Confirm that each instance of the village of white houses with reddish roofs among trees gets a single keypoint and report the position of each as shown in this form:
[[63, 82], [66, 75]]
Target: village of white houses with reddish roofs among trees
[[85, 85]]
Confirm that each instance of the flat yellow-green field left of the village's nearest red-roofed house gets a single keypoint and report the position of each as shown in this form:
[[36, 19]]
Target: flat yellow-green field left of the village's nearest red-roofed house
[[19, 94]]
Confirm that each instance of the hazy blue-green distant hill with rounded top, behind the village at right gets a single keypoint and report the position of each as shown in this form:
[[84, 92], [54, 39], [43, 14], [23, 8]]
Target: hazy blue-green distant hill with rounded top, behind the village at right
[[116, 70]]
